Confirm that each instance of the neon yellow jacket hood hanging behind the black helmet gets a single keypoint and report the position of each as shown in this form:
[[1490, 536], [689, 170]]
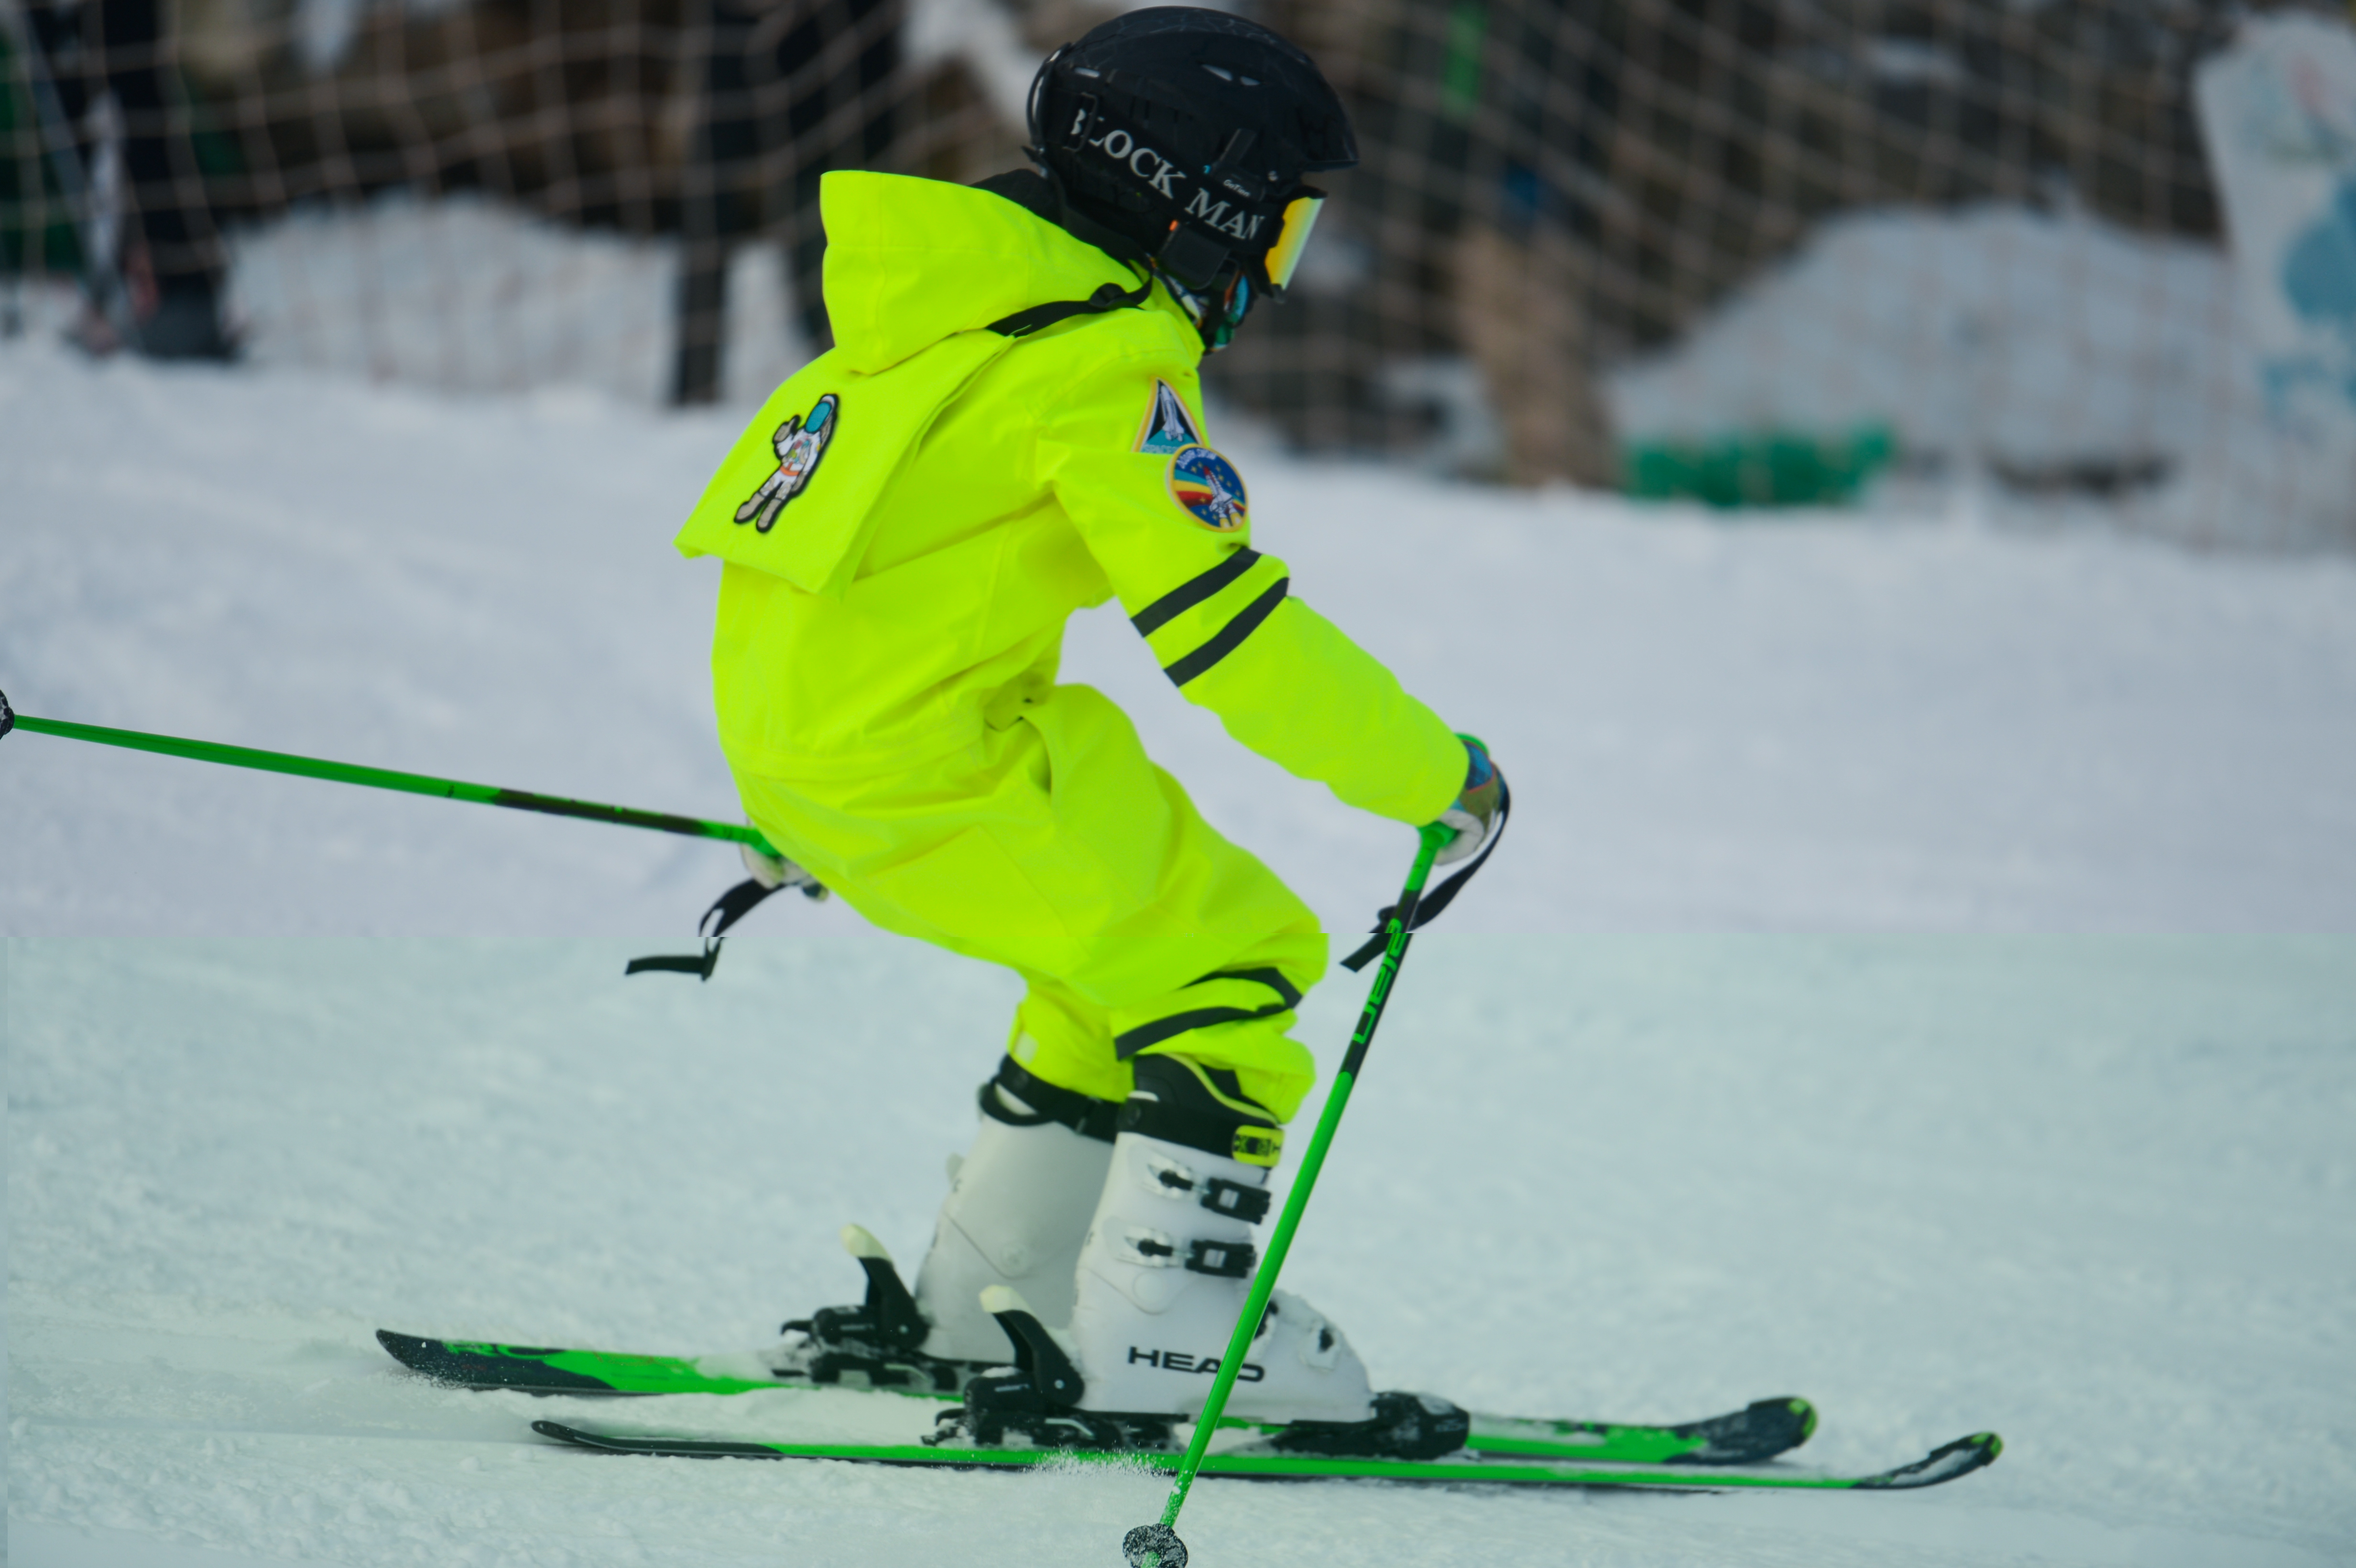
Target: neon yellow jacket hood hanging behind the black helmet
[[918, 260]]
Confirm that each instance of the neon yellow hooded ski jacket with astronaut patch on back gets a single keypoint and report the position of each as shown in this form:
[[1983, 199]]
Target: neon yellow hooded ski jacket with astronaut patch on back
[[913, 517]]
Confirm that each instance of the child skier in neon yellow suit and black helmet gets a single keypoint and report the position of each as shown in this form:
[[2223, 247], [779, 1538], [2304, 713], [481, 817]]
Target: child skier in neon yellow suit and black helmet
[[1010, 430]]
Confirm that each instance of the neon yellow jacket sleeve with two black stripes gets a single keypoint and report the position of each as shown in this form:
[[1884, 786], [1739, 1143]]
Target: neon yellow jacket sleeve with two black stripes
[[1231, 634]]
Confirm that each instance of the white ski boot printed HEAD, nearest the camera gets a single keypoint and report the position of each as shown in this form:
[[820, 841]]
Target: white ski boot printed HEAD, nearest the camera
[[1163, 1280]]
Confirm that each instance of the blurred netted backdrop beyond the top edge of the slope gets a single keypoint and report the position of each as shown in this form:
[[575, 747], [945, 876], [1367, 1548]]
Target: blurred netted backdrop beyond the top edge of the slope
[[2070, 258]]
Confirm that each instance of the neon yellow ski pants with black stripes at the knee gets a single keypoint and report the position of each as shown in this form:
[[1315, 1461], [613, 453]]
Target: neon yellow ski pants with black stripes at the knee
[[1057, 849]]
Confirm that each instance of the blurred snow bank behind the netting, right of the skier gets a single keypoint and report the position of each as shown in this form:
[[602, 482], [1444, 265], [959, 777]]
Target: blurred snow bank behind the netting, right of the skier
[[2044, 350]]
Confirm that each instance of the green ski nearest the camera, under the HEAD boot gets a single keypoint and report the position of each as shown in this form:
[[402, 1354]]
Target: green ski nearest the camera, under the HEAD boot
[[1947, 1463]]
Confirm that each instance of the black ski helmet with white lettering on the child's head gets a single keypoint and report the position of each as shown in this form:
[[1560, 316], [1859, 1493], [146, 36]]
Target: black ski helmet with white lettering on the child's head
[[1189, 135]]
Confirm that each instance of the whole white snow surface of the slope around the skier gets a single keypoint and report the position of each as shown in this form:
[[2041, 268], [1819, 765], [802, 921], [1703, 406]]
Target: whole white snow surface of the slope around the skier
[[1971, 1084]]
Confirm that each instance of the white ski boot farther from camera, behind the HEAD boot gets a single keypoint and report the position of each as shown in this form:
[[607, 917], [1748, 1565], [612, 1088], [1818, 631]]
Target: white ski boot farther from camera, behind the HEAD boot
[[1017, 1214]]
